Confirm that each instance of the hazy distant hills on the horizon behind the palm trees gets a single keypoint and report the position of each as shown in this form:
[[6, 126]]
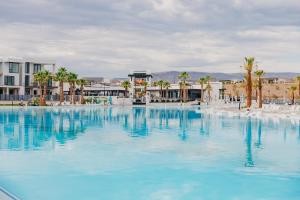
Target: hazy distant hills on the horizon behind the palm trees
[[172, 76]]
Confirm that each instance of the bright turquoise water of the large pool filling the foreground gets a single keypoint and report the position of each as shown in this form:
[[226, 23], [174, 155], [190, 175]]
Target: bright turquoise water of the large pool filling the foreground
[[146, 153]]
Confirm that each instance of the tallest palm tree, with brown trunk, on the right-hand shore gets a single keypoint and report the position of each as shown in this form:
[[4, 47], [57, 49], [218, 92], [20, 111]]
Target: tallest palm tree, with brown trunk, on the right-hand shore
[[248, 65]]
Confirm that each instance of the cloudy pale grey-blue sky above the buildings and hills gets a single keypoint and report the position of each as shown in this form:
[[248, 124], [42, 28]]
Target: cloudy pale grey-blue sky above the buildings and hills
[[112, 37]]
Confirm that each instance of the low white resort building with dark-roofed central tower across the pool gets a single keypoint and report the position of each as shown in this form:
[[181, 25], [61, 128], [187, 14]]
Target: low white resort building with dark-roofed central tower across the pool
[[143, 91]]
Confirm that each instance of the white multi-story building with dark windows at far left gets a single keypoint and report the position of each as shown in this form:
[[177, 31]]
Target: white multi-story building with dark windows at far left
[[17, 76]]
